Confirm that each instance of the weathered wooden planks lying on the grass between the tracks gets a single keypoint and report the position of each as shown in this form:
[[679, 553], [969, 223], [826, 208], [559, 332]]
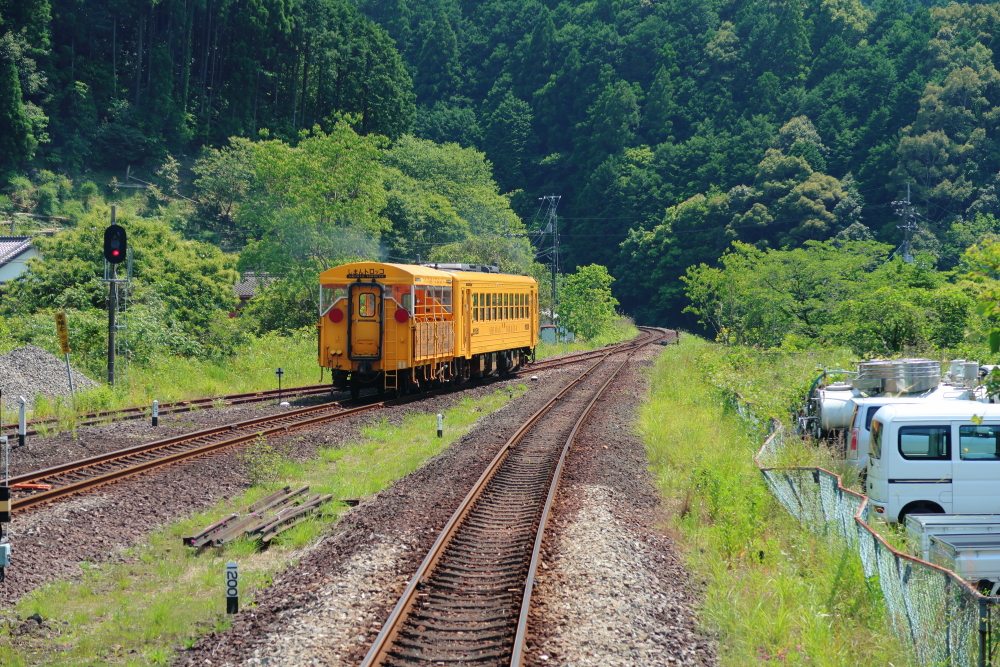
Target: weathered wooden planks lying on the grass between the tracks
[[263, 520]]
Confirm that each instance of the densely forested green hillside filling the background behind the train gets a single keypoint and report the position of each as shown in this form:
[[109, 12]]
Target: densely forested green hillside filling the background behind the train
[[670, 129]]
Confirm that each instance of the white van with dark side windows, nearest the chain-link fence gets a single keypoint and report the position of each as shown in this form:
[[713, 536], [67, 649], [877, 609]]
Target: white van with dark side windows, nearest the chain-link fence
[[935, 457]]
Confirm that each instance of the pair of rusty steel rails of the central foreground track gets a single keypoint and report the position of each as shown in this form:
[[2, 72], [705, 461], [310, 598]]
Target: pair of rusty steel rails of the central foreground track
[[391, 629]]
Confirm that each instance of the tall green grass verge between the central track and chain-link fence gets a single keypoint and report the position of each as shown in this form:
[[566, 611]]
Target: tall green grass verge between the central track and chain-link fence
[[774, 592]]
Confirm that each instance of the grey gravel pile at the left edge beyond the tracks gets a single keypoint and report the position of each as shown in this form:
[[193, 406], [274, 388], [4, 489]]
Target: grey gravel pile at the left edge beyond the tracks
[[30, 370]]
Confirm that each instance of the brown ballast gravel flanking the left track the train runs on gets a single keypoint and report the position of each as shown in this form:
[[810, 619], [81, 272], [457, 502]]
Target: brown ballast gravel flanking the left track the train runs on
[[51, 541]]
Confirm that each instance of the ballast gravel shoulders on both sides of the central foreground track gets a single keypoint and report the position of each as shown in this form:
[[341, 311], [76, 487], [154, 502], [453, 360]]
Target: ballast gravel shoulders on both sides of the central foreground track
[[612, 590]]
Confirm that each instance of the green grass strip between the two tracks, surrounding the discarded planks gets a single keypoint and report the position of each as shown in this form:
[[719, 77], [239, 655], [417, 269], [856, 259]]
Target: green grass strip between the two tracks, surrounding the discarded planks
[[164, 596]]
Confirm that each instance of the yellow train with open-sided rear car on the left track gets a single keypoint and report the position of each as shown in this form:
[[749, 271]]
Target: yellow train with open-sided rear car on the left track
[[405, 327]]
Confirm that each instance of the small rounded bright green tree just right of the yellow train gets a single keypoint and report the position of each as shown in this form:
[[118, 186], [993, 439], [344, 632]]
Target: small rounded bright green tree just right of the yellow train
[[586, 306]]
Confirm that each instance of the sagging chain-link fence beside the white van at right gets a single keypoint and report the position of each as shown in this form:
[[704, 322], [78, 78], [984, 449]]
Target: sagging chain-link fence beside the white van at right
[[948, 623]]
